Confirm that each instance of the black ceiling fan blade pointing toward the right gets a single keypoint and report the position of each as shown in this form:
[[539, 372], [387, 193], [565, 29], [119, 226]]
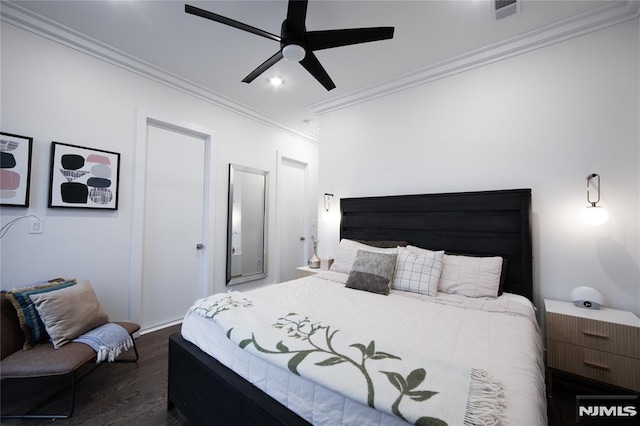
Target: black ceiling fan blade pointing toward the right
[[318, 40]]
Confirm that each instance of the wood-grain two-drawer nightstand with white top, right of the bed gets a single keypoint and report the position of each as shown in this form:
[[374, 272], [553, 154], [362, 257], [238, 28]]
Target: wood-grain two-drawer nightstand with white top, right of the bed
[[602, 345]]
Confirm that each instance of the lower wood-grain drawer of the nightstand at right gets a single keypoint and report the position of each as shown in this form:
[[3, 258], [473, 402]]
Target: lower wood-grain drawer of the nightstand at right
[[606, 367]]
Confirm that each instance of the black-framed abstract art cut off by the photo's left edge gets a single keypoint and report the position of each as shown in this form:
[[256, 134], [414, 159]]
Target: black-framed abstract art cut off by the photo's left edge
[[15, 169]]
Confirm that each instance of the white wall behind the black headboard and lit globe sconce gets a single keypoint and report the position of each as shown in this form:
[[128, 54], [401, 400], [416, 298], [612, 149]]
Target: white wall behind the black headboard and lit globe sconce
[[542, 120]]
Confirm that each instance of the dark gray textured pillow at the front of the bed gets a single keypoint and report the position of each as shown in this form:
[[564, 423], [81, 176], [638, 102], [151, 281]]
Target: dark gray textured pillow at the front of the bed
[[372, 272]]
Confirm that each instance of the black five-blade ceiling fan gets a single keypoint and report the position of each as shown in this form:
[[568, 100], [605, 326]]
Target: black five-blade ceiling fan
[[298, 44]]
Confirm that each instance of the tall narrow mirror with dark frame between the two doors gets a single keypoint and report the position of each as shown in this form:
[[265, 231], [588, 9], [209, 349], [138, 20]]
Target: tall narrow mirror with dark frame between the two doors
[[247, 224]]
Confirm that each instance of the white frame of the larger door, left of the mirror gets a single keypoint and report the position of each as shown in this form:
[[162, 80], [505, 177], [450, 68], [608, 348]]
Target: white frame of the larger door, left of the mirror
[[144, 119]]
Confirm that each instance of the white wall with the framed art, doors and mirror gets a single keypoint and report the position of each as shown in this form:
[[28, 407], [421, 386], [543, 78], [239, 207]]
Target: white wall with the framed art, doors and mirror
[[53, 93]]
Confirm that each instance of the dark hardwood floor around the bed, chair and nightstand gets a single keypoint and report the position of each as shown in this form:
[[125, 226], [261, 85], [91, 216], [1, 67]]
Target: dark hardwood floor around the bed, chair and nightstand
[[136, 393]]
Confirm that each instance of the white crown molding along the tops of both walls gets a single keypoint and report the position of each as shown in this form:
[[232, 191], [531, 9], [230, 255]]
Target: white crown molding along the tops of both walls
[[593, 20]]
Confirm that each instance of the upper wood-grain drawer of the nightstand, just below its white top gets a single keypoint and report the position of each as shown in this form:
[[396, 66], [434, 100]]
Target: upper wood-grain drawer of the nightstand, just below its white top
[[605, 336]]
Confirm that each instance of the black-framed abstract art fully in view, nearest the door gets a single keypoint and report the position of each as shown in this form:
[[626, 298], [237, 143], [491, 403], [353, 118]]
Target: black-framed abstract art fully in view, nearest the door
[[82, 177]]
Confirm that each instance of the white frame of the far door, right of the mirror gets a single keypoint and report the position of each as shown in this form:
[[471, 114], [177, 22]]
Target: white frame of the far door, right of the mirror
[[280, 157]]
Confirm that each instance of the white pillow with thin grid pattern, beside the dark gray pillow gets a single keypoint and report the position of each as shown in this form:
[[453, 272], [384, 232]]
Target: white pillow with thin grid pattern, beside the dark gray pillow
[[418, 271]]
